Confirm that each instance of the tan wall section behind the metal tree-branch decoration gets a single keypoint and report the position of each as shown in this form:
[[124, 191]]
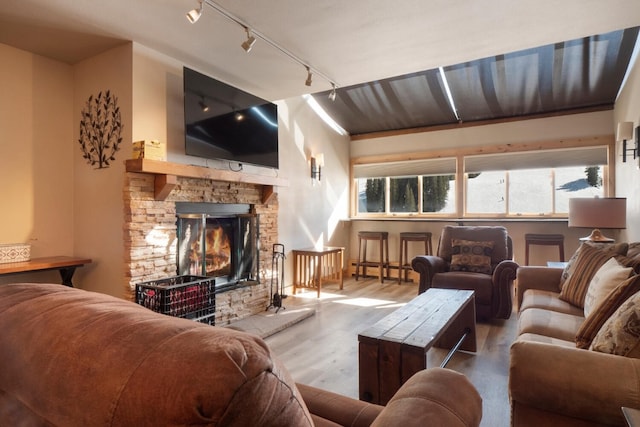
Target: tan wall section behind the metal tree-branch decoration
[[98, 202]]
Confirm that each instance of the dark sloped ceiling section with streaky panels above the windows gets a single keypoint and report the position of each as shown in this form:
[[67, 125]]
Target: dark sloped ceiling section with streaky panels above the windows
[[567, 76]]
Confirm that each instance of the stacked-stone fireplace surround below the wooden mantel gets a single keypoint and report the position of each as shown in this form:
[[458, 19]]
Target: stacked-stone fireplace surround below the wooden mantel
[[151, 235]]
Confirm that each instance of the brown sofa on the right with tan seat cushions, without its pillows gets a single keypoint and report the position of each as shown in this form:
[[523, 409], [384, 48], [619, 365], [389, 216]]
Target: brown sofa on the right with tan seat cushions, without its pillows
[[551, 381]]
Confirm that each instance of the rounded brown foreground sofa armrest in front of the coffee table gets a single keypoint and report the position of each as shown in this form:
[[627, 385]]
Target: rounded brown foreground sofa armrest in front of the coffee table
[[433, 397]]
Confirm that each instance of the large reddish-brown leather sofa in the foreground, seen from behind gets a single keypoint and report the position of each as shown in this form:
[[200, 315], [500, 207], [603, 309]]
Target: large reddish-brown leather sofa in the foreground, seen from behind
[[76, 358]]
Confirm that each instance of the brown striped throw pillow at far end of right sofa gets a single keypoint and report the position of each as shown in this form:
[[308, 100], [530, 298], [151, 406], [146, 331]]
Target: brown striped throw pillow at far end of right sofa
[[587, 263]]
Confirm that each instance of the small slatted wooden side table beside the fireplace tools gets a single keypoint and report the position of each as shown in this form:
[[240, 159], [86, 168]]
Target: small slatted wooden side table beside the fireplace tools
[[312, 267]]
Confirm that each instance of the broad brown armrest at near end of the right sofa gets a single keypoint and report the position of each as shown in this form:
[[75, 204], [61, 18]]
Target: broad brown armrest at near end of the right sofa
[[574, 382]]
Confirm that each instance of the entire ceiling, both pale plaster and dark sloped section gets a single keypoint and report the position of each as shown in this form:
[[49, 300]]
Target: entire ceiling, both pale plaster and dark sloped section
[[500, 58]]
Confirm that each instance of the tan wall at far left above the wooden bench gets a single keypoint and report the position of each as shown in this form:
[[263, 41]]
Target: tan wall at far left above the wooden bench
[[36, 164]]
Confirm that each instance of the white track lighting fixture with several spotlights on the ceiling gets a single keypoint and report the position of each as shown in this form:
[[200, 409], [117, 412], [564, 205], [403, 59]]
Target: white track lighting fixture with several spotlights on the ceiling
[[253, 35]]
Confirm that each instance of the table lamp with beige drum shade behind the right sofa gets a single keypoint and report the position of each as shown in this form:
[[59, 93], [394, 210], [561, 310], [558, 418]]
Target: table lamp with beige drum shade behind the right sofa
[[597, 213]]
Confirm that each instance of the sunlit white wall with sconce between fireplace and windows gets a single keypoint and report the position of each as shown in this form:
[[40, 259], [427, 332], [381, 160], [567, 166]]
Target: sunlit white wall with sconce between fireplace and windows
[[311, 214]]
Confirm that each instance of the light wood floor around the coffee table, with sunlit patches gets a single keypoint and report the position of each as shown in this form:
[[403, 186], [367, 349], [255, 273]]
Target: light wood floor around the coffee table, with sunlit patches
[[322, 350]]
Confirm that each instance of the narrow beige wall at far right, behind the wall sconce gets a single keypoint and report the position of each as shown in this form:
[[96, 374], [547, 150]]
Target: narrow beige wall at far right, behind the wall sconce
[[628, 174]]
